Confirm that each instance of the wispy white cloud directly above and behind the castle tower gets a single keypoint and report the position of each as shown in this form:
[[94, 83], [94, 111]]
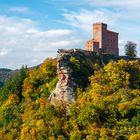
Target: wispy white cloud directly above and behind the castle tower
[[85, 18]]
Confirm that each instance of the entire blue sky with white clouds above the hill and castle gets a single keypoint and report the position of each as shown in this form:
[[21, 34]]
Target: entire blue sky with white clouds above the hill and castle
[[33, 30]]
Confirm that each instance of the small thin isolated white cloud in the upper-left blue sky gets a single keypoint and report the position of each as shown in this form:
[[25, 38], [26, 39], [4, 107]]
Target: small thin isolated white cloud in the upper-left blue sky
[[19, 9]]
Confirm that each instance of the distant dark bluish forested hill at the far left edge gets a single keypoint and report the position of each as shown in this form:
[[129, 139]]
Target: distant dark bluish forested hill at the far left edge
[[4, 74]]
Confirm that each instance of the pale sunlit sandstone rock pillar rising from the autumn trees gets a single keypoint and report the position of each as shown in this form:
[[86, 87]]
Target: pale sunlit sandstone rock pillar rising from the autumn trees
[[64, 90]]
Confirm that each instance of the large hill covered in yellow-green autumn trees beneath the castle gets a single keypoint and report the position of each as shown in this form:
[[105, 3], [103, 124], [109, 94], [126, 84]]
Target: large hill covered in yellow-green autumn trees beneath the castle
[[106, 105]]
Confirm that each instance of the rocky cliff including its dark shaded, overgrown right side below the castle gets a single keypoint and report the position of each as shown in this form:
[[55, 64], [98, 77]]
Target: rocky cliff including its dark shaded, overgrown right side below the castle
[[69, 78]]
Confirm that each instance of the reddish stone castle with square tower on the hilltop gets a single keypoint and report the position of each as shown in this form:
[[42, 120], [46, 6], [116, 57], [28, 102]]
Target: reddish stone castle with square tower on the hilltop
[[104, 41]]
